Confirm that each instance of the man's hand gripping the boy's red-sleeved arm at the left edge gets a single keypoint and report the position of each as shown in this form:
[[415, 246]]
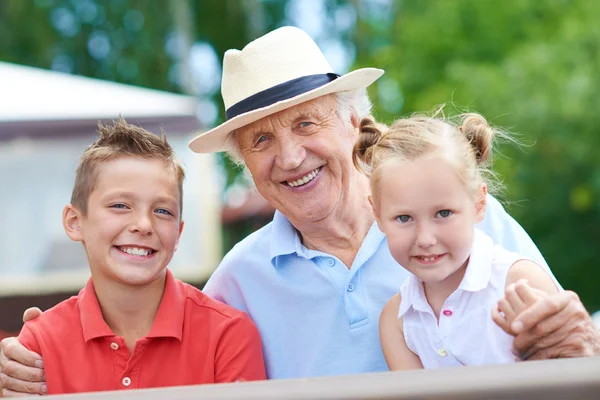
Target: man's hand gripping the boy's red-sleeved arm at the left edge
[[21, 371]]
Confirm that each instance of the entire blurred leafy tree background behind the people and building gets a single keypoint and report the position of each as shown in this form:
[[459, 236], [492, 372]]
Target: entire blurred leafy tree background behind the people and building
[[529, 66]]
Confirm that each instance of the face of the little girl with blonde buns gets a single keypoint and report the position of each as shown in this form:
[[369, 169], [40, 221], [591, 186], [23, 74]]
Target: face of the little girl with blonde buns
[[428, 216]]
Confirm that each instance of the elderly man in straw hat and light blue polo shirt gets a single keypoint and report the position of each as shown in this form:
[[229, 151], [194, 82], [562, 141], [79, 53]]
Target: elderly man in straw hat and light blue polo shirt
[[316, 278]]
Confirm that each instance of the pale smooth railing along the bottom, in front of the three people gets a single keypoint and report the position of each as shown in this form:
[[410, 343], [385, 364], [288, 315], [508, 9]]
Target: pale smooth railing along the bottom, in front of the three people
[[570, 379]]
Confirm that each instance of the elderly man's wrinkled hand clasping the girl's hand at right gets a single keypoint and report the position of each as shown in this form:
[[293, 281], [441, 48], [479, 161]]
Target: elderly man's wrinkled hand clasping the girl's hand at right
[[553, 326]]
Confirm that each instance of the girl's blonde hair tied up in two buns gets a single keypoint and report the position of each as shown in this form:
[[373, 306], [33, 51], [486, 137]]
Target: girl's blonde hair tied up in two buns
[[466, 144]]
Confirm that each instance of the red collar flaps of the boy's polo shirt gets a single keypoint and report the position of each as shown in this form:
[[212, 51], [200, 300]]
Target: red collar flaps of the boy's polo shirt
[[167, 323]]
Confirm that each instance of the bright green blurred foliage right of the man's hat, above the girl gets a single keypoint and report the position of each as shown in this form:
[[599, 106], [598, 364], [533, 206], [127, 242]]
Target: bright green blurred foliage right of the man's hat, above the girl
[[529, 66]]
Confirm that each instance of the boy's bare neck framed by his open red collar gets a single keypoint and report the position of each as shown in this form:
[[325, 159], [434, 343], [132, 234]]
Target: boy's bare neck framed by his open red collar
[[128, 310]]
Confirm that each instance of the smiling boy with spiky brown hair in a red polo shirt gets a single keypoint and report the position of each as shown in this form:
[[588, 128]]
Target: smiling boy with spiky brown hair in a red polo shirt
[[134, 325]]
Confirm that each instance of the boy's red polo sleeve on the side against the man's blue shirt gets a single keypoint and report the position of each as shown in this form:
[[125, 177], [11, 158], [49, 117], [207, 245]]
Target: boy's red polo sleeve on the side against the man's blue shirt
[[239, 352]]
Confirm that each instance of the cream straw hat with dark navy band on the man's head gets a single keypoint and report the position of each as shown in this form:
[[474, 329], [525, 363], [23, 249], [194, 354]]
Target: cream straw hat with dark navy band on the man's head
[[279, 70]]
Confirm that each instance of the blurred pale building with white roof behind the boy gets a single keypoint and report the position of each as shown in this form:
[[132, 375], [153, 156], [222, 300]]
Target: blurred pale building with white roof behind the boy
[[46, 121]]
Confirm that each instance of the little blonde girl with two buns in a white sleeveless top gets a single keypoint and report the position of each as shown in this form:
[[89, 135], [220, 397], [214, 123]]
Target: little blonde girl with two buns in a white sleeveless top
[[428, 193]]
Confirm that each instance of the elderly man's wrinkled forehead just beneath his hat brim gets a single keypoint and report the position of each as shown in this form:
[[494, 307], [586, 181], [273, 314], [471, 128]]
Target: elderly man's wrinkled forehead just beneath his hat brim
[[320, 107]]
